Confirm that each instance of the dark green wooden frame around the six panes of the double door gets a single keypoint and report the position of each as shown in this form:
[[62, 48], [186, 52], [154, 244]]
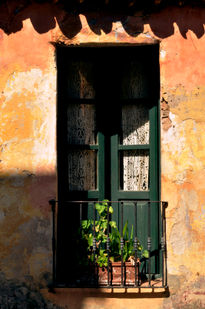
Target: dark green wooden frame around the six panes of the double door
[[108, 147]]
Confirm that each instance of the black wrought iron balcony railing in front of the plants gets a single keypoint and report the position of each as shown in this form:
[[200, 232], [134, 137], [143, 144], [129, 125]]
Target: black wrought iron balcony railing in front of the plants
[[147, 266]]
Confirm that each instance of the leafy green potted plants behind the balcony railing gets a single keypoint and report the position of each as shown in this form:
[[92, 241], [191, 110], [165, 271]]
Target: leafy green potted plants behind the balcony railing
[[101, 229]]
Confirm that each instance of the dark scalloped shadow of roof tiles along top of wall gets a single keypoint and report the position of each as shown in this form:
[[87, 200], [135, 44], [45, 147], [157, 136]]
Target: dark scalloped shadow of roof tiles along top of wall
[[44, 17]]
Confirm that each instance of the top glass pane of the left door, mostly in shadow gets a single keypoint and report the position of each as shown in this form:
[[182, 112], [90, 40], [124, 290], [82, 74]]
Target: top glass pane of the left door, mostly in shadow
[[80, 82]]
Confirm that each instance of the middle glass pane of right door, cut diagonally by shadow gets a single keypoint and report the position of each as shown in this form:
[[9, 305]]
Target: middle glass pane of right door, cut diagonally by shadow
[[135, 125]]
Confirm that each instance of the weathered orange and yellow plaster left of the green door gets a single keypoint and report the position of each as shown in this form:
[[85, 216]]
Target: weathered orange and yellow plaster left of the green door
[[28, 155]]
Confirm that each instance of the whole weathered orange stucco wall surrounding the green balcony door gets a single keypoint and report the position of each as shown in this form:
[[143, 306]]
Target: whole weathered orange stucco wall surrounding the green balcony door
[[28, 145]]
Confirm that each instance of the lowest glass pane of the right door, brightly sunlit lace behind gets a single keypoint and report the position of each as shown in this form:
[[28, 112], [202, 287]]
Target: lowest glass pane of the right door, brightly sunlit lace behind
[[134, 170]]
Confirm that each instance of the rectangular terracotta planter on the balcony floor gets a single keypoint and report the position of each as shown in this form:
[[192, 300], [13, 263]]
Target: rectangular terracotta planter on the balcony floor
[[115, 271]]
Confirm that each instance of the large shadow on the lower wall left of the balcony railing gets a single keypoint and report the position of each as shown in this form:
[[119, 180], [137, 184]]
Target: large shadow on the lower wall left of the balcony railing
[[26, 226]]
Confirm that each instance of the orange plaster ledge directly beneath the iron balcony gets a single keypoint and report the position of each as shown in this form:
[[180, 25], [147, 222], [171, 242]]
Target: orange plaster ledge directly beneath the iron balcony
[[87, 298]]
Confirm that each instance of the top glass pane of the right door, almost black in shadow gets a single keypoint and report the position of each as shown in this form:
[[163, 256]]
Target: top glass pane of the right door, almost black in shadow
[[135, 81]]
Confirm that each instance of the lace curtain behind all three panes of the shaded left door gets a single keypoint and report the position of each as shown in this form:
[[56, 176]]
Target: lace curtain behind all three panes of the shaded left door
[[81, 130]]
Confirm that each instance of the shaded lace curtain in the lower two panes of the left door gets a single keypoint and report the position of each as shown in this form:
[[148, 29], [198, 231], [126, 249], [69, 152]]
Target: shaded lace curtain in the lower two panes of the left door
[[82, 164]]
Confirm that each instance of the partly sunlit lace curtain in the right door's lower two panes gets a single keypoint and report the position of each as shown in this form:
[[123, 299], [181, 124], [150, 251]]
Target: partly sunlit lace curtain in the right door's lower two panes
[[135, 131]]
